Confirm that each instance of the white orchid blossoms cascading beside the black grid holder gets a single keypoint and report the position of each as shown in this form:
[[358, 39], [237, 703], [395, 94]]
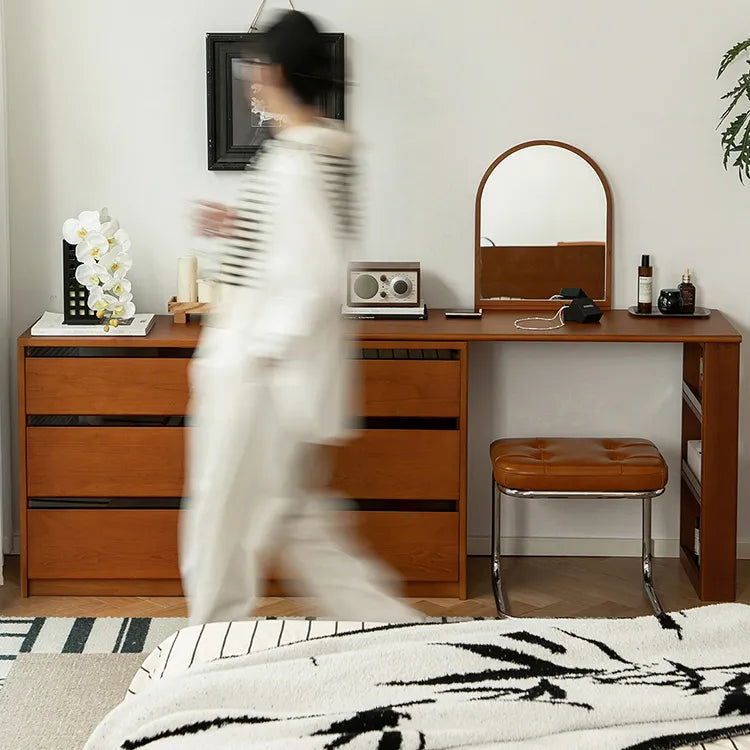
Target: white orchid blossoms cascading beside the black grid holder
[[103, 251]]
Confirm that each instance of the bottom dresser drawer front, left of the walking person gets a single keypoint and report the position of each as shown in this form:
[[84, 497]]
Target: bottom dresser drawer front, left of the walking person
[[103, 544]]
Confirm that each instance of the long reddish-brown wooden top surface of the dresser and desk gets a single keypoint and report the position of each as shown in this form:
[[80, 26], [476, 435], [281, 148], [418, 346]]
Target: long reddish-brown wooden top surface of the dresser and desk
[[615, 326]]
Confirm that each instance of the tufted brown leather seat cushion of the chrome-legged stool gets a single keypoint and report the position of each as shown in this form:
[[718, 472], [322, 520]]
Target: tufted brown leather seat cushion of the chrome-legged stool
[[578, 464]]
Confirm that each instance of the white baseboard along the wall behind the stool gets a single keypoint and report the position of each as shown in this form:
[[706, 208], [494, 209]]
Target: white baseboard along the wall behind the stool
[[577, 547]]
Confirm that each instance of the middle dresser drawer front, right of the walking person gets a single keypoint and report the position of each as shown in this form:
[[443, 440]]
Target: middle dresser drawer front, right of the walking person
[[399, 465]]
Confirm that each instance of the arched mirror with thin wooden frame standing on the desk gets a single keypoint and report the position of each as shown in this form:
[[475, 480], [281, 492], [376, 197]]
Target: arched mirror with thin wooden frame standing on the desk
[[543, 223]]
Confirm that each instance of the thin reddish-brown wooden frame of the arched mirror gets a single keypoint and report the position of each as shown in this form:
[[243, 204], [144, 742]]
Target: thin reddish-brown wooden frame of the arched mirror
[[496, 304]]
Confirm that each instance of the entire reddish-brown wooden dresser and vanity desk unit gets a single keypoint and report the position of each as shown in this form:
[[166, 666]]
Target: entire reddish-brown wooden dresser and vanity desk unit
[[102, 436]]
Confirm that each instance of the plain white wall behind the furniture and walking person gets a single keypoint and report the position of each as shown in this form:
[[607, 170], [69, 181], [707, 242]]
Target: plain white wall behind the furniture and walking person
[[108, 107]]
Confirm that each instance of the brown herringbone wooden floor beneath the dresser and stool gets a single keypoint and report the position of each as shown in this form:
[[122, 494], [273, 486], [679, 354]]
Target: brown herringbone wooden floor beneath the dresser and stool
[[535, 586]]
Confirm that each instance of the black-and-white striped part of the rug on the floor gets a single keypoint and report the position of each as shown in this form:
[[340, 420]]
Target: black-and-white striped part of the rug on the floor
[[81, 635]]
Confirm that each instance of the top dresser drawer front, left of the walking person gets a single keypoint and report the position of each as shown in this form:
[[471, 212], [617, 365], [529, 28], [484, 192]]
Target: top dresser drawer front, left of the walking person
[[101, 386]]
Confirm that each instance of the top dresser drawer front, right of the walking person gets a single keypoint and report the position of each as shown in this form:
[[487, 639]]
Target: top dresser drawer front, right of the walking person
[[410, 388]]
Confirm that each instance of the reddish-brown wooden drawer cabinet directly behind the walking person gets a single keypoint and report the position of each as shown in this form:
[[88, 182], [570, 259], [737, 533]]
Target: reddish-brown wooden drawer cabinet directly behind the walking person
[[102, 433]]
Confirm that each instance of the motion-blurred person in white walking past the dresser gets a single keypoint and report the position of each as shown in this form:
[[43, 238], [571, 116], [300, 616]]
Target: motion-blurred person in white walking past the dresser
[[271, 379]]
